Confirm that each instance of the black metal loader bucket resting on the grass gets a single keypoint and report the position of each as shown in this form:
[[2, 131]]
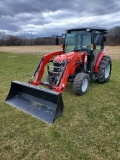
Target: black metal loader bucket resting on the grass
[[41, 103]]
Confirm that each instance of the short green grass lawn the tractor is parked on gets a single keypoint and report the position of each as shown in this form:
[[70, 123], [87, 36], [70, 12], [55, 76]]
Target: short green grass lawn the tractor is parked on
[[89, 128]]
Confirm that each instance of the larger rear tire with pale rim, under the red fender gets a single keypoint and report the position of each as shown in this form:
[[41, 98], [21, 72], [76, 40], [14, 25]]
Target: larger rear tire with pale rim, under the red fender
[[104, 71]]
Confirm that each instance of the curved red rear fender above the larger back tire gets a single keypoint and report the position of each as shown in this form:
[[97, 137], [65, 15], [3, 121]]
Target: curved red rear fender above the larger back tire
[[98, 60]]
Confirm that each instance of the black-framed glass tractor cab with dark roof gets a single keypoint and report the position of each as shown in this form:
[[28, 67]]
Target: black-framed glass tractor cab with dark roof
[[90, 40]]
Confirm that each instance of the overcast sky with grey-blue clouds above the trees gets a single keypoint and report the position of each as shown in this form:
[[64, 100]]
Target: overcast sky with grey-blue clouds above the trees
[[51, 17]]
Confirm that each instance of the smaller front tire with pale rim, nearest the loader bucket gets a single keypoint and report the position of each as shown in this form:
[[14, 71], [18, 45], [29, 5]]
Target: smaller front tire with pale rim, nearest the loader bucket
[[81, 84]]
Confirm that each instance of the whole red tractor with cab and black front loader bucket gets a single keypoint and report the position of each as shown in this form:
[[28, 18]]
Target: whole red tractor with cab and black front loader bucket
[[83, 58]]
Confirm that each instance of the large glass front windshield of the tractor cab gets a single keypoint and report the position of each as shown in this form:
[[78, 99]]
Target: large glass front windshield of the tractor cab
[[77, 41]]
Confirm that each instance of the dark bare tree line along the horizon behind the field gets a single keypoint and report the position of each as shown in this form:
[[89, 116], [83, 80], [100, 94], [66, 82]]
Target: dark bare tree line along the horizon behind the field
[[113, 39]]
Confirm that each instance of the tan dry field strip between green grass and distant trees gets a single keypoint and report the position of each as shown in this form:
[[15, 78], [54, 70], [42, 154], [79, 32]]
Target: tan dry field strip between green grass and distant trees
[[113, 51]]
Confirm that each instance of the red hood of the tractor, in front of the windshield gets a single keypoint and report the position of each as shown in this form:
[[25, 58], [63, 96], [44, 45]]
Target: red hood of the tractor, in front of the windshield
[[66, 56]]
